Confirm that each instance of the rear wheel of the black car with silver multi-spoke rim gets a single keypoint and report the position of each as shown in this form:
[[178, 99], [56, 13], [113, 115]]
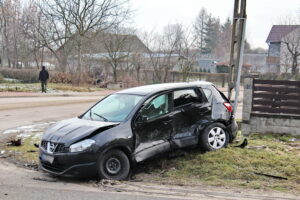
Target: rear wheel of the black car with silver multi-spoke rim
[[213, 137]]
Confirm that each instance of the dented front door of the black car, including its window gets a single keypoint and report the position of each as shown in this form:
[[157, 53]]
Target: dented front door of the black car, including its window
[[153, 127]]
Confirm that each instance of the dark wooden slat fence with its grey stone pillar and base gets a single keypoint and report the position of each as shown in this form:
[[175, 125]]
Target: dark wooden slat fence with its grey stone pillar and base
[[271, 106]]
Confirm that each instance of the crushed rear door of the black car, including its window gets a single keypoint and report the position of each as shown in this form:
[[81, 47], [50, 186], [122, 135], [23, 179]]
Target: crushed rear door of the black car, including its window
[[190, 107]]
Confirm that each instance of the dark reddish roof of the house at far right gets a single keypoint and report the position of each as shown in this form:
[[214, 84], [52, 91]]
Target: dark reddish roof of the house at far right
[[279, 31]]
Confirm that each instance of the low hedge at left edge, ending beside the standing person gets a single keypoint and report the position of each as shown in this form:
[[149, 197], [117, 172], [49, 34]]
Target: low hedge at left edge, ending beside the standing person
[[23, 75]]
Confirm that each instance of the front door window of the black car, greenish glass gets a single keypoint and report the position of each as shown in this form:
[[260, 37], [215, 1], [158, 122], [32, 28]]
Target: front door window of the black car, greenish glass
[[156, 107]]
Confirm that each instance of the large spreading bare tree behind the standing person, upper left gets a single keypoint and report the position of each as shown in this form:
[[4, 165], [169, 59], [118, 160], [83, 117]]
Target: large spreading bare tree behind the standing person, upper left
[[71, 21]]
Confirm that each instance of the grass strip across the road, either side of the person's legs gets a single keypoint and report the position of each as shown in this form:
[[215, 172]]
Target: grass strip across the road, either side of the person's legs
[[36, 87]]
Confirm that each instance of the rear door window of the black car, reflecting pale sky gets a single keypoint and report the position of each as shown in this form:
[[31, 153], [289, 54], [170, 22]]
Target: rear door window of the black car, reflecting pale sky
[[183, 97]]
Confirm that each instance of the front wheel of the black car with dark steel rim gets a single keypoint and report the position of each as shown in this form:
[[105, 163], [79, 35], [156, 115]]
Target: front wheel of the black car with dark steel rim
[[114, 165]]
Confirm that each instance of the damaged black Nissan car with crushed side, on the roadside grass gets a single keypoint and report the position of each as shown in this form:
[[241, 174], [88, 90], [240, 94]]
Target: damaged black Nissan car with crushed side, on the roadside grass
[[135, 124]]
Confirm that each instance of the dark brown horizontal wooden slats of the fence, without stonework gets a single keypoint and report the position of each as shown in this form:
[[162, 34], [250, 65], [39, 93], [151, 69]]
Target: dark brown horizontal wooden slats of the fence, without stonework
[[274, 96]]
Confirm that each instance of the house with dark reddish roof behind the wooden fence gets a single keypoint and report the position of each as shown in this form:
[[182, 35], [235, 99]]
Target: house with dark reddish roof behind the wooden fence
[[277, 59]]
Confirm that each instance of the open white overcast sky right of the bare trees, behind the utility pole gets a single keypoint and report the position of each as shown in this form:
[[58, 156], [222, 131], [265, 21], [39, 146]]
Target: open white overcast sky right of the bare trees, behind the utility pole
[[262, 14]]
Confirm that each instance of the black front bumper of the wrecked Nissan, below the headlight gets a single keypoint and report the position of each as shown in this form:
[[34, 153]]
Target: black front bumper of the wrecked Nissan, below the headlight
[[81, 164]]
